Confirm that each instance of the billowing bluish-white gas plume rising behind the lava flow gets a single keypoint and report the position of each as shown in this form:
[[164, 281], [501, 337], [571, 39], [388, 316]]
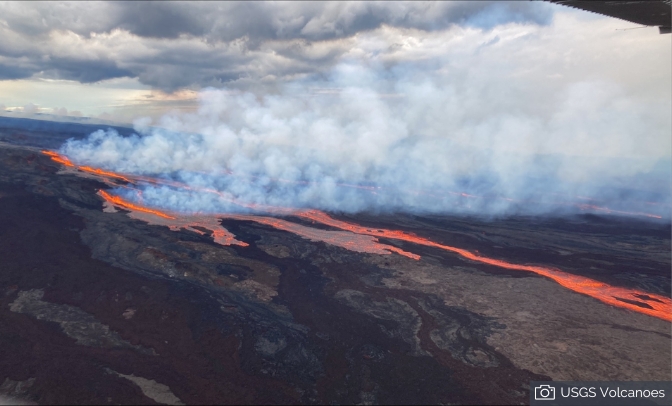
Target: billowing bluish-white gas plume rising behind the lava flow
[[403, 139]]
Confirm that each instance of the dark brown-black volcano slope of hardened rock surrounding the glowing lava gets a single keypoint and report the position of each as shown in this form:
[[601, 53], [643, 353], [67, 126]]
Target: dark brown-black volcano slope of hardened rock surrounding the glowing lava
[[100, 306]]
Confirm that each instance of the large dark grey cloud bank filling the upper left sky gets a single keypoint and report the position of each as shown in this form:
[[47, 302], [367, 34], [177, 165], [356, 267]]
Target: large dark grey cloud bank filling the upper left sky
[[179, 44]]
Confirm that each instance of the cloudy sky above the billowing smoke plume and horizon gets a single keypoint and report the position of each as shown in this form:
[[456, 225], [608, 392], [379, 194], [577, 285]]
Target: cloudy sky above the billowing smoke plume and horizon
[[118, 58]]
